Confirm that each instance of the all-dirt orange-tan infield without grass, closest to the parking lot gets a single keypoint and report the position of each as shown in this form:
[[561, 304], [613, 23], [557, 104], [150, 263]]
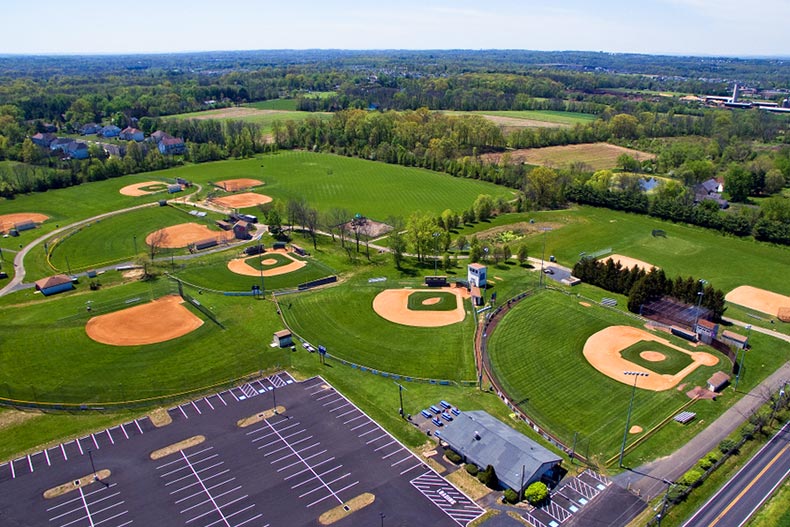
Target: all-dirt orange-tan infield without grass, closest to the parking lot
[[157, 321]]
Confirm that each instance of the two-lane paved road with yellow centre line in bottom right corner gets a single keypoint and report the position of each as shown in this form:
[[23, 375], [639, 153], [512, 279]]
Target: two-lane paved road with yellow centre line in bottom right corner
[[740, 497]]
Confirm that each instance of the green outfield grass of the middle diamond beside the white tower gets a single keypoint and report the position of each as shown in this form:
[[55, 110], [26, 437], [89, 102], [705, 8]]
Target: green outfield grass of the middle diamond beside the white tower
[[342, 319]]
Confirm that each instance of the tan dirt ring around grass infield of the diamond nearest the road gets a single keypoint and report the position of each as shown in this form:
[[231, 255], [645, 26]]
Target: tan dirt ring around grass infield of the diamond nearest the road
[[602, 350]]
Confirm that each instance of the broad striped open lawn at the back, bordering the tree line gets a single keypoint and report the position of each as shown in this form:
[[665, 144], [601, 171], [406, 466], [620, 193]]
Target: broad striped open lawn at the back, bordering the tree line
[[376, 190]]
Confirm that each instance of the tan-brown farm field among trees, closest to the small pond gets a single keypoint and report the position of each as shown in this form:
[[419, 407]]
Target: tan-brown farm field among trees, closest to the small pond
[[597, 156]]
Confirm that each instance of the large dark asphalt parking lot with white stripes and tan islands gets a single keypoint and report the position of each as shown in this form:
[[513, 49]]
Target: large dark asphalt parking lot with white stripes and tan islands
[[229, 459]]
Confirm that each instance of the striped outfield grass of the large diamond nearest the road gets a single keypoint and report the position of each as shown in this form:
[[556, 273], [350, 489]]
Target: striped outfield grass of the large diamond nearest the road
[[536, 352]]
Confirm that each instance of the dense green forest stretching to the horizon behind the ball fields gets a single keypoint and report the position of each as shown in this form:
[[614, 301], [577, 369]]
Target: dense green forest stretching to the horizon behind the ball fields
[[386, 107]]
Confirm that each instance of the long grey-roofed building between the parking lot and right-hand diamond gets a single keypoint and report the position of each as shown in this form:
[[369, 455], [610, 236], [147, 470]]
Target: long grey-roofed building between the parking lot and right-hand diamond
[[484, 440]]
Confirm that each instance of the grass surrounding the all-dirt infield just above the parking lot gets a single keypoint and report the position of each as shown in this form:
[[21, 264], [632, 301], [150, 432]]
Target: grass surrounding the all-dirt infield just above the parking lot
[[47, 355]]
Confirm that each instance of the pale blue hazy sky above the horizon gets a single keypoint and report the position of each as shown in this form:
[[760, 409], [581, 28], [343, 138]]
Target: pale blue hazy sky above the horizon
[[687, 27]]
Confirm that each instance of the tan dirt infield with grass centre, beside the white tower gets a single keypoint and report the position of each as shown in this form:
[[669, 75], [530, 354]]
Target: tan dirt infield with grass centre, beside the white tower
[[392, 305]]
